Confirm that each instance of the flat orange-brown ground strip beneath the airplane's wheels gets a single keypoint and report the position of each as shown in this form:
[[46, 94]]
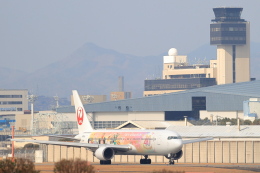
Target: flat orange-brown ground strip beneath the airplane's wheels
[[137, 168]]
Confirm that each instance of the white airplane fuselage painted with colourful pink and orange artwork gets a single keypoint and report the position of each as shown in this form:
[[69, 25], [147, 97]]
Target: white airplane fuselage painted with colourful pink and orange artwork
[[142, 142]]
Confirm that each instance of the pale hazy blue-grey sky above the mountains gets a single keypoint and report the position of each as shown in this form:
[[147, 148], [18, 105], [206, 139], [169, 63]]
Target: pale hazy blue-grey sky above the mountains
[[35, 33]]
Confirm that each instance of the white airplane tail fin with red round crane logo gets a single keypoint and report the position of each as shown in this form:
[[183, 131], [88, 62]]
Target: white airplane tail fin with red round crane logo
[[81, 116]]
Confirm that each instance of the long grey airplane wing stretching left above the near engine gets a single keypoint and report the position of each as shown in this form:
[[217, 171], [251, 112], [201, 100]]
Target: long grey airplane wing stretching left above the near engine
[[92, 147]]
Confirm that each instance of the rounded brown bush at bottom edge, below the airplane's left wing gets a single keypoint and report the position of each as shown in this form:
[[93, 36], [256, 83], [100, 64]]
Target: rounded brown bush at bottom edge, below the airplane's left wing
[[73, 166]]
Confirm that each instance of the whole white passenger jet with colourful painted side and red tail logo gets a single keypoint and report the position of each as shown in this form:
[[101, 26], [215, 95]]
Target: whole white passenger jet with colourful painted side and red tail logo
[[105, 144]]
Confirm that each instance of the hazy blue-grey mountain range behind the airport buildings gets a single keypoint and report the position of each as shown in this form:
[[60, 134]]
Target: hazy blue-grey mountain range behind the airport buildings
[[94, 70]]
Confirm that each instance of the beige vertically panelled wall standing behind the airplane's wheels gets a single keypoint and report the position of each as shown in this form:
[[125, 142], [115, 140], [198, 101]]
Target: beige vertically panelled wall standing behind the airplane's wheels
[[202, 152]]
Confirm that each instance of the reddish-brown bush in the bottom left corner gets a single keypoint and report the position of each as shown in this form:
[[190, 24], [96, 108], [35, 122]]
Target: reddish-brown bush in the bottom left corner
[[18, 166]]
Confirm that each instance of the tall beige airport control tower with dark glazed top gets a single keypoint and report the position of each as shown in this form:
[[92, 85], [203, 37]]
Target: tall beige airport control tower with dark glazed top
[[231, 34]]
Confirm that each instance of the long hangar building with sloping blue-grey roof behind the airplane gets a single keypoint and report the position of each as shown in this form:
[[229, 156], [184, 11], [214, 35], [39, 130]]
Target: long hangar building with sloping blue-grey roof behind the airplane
[[218, 100]]
